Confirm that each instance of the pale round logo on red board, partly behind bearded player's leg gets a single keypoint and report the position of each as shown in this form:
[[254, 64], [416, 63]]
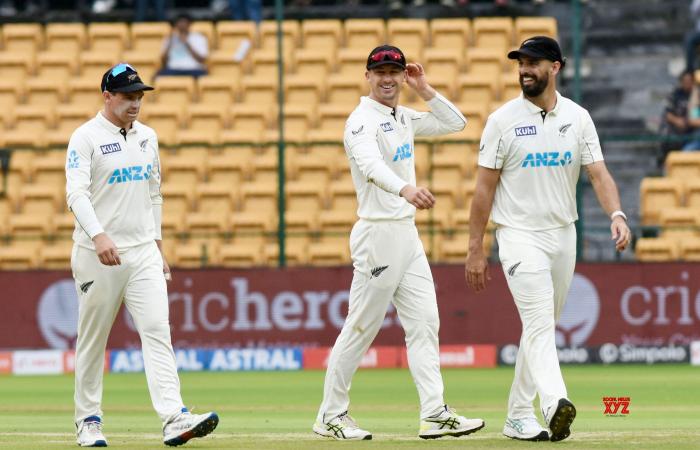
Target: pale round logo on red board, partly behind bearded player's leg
[[580, 314]]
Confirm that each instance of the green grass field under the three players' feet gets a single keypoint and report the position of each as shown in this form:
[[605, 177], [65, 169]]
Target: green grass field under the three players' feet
[[264, 410]]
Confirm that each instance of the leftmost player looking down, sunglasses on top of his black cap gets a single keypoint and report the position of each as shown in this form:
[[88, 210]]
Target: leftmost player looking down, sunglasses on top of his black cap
[[113, 189]]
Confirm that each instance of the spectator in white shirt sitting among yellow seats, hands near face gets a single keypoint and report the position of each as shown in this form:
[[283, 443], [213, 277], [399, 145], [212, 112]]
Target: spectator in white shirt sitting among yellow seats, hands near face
[[184, 52]]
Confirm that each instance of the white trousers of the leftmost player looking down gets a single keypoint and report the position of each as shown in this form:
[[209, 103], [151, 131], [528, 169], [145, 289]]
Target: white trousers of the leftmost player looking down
[[139, 281]]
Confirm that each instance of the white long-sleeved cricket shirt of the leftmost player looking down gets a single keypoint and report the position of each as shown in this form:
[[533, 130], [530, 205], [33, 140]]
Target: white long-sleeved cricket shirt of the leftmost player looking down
[[120, 175]]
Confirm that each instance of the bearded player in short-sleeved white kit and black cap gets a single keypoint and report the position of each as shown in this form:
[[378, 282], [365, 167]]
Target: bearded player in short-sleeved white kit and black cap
[[532, 150]]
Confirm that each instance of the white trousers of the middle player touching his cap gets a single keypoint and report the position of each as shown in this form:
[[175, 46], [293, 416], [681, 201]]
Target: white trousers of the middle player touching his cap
[[389, 266]]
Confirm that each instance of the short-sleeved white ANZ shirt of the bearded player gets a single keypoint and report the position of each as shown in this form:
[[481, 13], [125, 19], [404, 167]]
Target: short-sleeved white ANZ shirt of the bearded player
[[540, 157]]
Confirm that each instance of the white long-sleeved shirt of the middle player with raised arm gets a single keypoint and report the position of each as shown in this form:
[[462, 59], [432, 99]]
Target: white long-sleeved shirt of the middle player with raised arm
[[379, 144]]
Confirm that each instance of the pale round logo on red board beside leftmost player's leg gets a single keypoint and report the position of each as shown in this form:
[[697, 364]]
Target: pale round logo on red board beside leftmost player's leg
[[57, 314]]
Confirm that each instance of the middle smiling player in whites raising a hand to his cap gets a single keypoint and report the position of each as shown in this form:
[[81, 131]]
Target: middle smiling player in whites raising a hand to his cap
[[388, 257]]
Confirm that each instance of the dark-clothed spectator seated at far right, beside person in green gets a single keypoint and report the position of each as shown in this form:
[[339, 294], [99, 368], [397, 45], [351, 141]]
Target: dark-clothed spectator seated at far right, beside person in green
[[676, 118]]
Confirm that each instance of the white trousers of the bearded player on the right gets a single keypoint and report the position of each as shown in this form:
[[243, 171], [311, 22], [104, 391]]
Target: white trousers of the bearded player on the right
[[538, 266]]
